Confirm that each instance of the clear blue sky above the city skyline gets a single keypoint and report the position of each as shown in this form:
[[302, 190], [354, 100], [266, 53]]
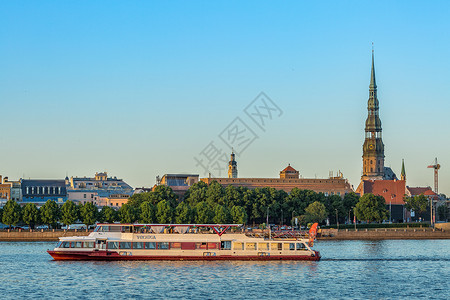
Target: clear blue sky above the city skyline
[[139, 88]]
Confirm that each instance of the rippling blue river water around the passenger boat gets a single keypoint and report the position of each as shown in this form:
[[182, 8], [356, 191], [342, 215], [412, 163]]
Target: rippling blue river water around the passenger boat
[[393, 269]]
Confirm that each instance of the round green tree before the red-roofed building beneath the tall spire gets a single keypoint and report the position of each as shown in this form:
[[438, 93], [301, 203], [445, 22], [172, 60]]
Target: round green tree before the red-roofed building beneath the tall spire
[[371, 208]]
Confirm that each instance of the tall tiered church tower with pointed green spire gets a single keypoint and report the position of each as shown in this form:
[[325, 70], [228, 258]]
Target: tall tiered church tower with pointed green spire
[[373, 148]]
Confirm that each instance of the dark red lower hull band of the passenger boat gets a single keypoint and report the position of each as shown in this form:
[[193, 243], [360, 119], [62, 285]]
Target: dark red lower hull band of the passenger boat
[[108, 255]]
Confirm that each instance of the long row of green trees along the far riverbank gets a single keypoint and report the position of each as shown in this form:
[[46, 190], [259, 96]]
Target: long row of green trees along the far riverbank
[[213, 203]]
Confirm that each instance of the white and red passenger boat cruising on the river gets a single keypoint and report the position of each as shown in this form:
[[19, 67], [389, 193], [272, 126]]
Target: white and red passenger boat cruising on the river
[[186, 242]]
